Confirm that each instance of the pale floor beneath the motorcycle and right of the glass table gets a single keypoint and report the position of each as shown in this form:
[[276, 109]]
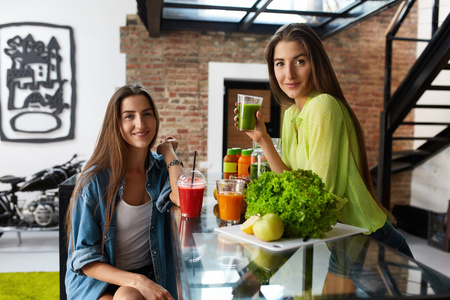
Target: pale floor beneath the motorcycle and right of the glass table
[[39, 252]]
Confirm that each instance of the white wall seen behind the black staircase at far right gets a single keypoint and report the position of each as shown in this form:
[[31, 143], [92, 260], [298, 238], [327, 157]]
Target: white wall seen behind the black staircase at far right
[[429, 185]]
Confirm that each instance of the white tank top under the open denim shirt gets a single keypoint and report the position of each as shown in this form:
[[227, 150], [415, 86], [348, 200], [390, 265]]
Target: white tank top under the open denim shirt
[[132, 239]]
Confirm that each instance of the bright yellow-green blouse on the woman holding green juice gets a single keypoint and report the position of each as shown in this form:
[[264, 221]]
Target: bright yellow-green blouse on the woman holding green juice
[[317, 139]]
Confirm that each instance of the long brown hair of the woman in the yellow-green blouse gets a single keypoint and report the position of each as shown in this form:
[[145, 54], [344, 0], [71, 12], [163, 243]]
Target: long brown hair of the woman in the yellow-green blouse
[[325, 81]]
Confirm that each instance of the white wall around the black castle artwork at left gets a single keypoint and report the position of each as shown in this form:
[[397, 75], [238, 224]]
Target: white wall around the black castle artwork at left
[[100, 69]]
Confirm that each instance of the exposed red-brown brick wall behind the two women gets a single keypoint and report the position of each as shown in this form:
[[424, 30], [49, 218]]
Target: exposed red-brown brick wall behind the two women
[[174, 68]]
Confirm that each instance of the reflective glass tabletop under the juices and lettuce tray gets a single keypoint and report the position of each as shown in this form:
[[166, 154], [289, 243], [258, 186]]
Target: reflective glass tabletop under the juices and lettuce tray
[[215, 266]]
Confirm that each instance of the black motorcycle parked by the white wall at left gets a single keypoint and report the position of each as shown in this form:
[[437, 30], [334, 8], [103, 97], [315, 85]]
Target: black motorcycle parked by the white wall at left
[[41, 212]]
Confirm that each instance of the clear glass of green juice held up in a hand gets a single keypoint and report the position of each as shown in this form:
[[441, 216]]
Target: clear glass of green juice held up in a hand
[[247, 108]]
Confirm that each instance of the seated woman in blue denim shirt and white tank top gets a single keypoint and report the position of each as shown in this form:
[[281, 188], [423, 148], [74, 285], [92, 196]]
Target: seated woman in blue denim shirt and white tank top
[[116, 221]]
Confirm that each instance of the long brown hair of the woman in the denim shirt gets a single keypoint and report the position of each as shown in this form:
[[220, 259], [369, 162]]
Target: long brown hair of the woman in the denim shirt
[[109, 154]]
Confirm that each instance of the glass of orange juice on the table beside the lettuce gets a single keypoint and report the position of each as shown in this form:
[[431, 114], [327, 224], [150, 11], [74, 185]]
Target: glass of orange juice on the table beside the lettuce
[[230, 195]]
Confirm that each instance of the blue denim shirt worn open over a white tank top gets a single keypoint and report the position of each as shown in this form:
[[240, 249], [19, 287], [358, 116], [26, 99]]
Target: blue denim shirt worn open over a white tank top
[[88, 221]]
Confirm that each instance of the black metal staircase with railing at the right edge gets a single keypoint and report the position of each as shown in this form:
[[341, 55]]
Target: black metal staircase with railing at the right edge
[[433, 60]]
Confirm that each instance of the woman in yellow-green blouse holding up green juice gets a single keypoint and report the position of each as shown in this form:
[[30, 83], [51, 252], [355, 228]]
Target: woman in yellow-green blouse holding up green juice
[[320, 131]]
